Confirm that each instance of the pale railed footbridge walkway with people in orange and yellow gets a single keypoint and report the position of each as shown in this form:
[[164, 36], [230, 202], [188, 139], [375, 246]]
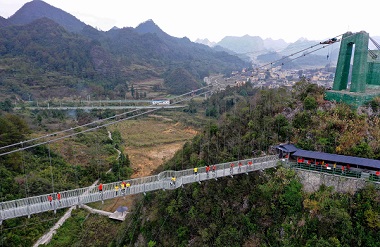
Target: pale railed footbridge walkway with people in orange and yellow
[[162, 181]]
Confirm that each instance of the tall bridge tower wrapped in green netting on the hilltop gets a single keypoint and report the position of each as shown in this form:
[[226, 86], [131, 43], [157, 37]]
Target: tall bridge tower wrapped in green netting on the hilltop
[[362, 77]]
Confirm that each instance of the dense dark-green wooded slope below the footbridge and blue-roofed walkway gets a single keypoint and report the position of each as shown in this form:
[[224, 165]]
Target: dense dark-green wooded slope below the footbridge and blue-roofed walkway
[[257, 210]]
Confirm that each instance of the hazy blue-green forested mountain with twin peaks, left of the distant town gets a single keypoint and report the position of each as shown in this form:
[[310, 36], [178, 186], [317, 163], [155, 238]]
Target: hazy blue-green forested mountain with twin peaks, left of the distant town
[[42, 57]]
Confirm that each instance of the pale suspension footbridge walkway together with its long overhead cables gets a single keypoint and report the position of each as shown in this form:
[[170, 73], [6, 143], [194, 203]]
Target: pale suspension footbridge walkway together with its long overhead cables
[[163, 181]]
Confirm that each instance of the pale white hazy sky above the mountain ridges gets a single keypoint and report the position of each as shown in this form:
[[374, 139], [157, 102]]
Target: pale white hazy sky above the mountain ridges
[[215, 19]]
